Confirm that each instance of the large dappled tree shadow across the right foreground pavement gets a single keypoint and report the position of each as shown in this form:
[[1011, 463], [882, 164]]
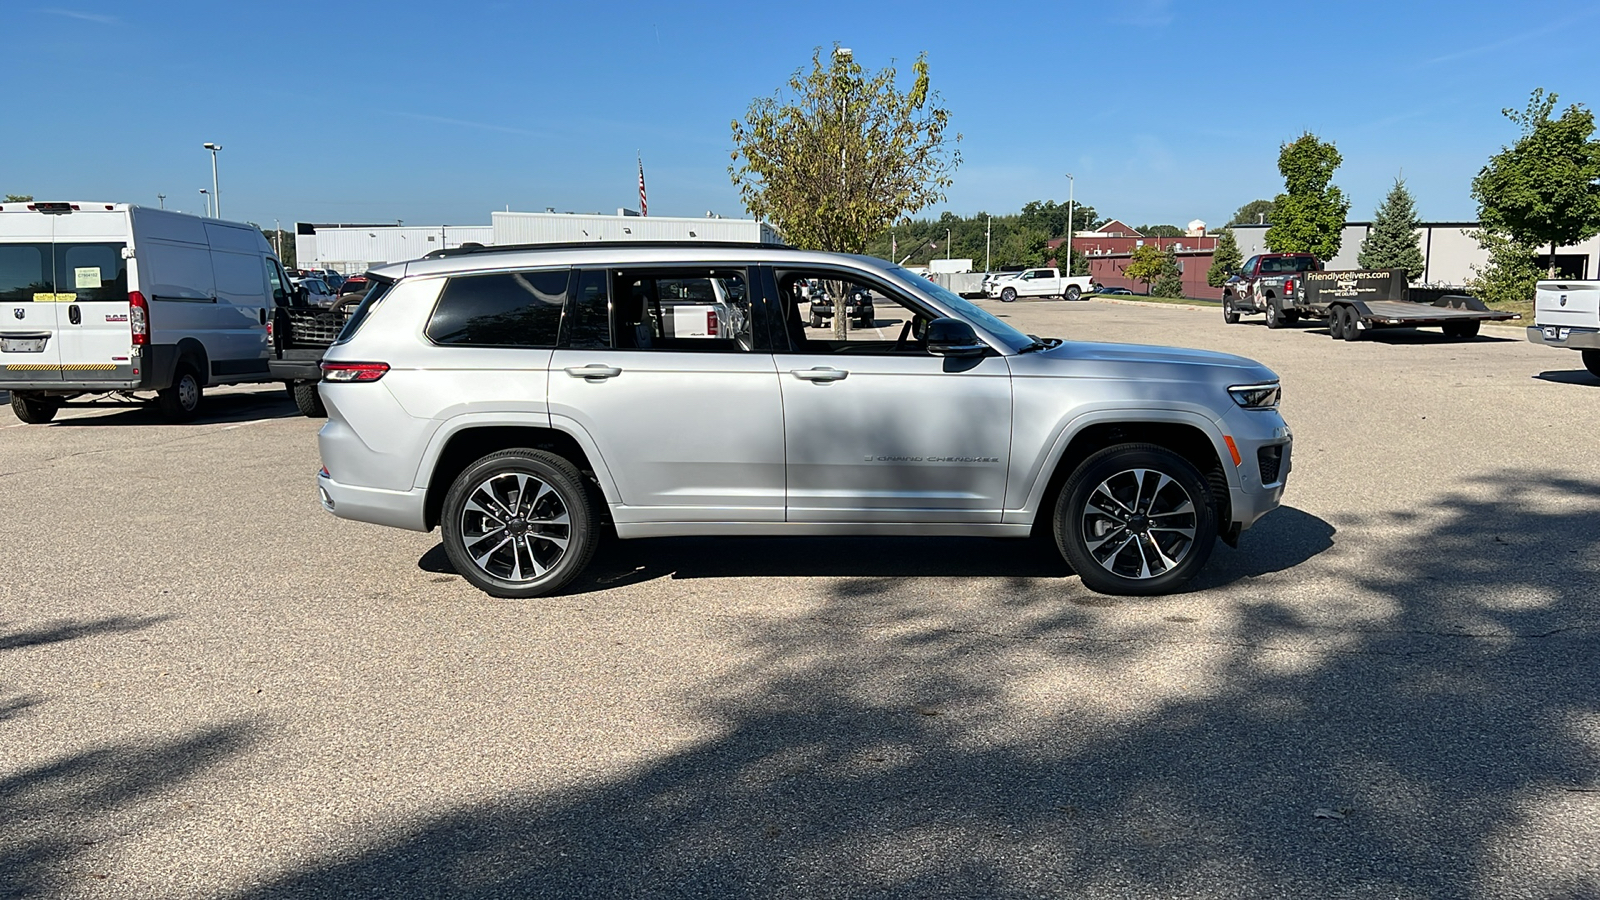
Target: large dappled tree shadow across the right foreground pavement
[[1426, 728]]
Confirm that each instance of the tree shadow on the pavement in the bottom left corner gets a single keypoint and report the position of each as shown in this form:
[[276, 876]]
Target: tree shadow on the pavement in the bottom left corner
[[57, 813]]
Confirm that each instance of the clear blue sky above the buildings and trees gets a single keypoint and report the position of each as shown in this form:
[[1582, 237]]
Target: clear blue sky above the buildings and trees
[[442, 111]]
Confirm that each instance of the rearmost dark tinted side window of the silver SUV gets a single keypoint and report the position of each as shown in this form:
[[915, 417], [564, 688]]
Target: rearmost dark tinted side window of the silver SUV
[[506, 310]]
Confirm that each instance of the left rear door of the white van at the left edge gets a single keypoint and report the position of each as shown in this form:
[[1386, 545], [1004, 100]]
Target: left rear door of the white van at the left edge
[[30, 345]]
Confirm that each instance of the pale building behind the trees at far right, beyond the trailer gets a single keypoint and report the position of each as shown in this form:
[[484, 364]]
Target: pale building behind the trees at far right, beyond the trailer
[[1450, 254]]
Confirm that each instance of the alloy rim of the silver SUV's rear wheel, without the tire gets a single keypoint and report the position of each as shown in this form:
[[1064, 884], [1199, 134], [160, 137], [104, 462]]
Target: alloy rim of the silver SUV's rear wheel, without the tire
[[516, 528]]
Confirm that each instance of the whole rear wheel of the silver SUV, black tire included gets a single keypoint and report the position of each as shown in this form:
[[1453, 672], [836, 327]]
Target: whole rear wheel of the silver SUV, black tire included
[[532, 531]]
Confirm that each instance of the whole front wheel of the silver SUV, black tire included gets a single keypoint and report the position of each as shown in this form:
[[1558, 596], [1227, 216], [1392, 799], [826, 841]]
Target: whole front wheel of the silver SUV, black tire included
[[1111, 473]]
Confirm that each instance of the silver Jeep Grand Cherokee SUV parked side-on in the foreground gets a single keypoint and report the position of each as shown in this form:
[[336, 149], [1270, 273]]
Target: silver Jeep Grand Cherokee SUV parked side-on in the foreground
[[529, 400]]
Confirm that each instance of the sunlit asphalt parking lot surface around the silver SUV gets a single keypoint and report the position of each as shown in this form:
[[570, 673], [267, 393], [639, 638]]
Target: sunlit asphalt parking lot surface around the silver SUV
[[209, 688]]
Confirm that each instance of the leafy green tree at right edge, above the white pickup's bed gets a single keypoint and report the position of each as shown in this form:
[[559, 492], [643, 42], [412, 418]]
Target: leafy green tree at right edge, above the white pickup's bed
[[1546, 188]]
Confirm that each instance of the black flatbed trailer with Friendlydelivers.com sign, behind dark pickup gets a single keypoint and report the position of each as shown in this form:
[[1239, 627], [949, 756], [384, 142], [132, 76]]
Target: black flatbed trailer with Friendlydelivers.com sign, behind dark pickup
[[1359, 302]]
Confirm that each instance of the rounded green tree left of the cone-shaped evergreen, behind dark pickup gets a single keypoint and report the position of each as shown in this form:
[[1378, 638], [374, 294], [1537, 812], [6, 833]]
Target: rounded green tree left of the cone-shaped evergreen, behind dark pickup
[[1310, 215]]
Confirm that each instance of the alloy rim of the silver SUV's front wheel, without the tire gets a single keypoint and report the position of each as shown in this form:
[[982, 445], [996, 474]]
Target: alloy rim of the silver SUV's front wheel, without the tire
[[1140, 524]]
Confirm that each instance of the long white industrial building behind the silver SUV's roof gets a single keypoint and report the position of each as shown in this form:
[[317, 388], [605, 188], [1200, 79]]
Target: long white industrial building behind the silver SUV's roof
[[353, 247]]
